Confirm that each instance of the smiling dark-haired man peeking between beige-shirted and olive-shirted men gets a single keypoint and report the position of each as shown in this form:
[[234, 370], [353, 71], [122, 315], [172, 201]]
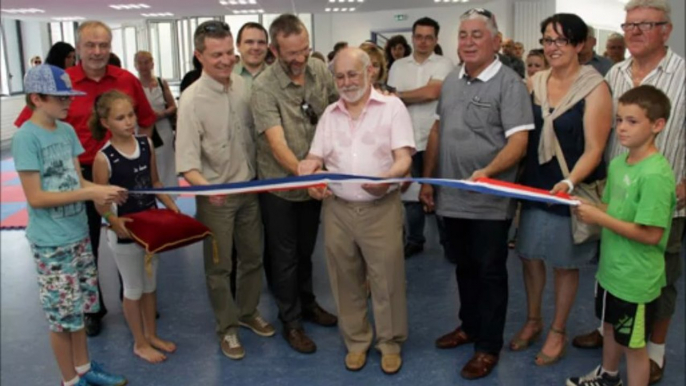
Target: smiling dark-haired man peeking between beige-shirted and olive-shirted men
[[252, 44]]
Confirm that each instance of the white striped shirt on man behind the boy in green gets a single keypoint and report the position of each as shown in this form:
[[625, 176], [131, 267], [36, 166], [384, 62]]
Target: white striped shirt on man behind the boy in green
[[670, 77]]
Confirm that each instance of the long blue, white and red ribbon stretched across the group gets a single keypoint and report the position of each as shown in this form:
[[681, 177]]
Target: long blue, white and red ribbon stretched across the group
[[481, 185]]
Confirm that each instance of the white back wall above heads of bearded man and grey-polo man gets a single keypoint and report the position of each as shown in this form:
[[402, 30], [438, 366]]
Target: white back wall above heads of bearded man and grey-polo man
[[357, 27]]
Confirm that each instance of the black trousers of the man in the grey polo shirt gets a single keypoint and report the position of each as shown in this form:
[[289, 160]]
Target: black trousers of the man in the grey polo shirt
[[479, 248]]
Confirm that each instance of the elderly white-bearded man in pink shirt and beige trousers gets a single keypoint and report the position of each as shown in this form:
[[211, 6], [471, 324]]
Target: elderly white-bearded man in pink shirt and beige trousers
[[364, 133]]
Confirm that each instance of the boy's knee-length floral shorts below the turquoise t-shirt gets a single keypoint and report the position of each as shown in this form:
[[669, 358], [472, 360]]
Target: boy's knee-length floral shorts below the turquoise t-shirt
[[68, 284]]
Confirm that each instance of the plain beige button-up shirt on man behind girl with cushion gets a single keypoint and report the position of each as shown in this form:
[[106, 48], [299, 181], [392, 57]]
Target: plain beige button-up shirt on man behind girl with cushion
[[214, 133]]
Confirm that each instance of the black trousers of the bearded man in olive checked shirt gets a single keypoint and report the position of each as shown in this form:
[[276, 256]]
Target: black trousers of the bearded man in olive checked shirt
[[292, 228]]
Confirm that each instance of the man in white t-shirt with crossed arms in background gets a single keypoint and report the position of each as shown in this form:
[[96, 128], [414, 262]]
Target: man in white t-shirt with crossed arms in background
[[417, 79]]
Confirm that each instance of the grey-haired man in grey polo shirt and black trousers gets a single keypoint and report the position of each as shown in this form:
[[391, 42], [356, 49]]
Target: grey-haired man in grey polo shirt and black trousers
[[484, 117]]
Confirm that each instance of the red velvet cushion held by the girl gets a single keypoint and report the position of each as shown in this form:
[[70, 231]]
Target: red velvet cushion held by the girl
[[159, 230]]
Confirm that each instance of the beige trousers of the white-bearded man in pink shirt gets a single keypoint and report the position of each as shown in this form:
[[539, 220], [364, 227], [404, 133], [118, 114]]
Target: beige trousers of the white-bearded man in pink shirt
[[365, 240]]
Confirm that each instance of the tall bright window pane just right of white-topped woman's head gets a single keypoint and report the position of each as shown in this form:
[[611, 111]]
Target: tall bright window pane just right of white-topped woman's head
[[163, 49]]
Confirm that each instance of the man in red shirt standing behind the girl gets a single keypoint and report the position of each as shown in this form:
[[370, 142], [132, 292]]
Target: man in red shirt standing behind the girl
[[94, 76]]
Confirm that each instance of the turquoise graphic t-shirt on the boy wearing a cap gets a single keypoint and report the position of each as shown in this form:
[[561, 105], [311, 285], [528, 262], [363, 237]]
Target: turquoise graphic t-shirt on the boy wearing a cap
[[52, 154]]
